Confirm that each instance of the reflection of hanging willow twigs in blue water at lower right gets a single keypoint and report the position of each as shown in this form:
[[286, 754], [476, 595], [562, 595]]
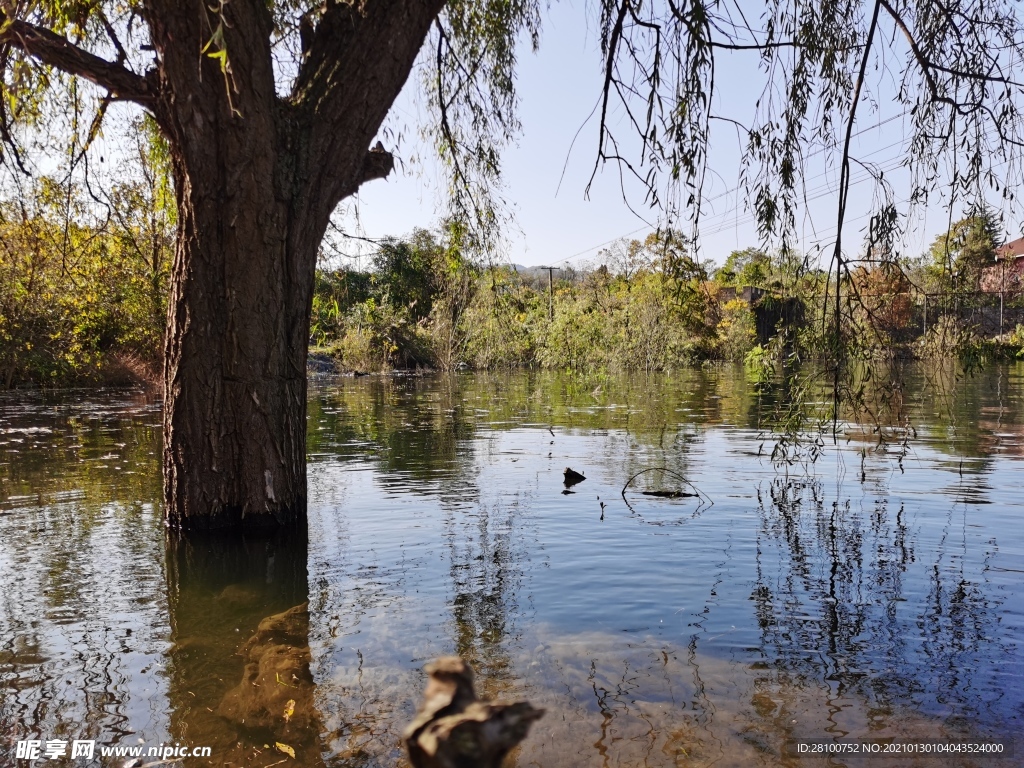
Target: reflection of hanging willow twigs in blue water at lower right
[[834, 612]]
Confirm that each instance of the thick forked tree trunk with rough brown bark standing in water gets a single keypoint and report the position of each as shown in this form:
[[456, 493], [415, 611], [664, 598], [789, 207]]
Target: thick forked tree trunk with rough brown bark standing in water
[[258, 178]]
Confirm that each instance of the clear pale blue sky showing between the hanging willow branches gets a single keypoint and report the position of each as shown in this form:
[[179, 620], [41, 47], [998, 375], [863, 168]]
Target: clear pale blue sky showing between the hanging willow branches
[[560, 88]]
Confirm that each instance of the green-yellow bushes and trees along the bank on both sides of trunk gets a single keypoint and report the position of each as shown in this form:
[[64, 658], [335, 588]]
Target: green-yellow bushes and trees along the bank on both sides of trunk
[[83, 301]]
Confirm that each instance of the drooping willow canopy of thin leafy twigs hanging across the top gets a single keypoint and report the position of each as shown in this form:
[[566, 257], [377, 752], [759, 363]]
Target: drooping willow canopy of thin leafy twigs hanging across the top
[[948, 67]]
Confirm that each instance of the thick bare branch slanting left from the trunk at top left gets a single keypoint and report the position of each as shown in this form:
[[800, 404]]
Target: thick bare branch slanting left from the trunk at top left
[[58, 52]]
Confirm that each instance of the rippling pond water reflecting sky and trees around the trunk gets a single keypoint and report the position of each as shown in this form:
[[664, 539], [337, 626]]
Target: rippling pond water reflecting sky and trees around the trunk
[[876, 593]]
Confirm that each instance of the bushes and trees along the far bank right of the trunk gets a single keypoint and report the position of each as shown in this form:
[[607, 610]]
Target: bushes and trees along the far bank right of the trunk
[[653, 306]]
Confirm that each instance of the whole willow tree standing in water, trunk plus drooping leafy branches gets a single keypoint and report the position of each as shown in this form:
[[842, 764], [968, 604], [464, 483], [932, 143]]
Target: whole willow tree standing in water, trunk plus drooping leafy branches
[[270, 108]]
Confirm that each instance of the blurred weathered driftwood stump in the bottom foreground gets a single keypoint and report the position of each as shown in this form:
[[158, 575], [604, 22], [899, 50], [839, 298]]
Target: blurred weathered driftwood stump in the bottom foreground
[[455, 730]]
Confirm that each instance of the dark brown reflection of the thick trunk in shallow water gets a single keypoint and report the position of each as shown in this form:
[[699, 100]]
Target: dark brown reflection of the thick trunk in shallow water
[[239, 670]]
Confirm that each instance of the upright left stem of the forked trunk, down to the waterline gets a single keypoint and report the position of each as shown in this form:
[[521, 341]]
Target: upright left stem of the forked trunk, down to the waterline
[[234, 358]]
